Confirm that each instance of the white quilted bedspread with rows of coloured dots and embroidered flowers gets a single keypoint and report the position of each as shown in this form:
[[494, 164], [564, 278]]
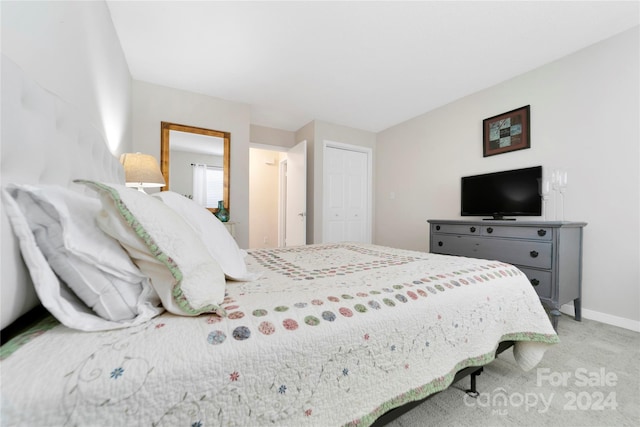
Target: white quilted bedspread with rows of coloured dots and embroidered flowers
[[329, 335]]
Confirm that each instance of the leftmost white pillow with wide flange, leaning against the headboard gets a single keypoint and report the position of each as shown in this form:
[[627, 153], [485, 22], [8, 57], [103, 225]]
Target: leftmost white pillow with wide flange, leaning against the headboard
[[94, 266]]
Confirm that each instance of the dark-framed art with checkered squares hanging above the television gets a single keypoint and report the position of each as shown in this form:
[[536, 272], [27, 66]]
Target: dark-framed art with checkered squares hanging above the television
[[506, 132]]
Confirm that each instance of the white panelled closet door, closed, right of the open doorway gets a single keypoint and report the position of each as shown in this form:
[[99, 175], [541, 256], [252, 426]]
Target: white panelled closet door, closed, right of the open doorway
[[346, 195]]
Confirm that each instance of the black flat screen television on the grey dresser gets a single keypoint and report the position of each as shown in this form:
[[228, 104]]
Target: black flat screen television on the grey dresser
[[503, 194]]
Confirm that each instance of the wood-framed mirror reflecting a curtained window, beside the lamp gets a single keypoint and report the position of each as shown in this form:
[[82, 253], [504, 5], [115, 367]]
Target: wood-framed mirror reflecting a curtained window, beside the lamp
[[191, 157]]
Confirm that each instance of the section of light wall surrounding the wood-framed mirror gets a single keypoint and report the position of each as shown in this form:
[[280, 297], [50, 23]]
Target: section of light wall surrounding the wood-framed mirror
[[153, 104]]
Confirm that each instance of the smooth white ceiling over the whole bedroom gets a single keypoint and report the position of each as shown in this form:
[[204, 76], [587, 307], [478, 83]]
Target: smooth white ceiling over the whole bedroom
[[367, 65]]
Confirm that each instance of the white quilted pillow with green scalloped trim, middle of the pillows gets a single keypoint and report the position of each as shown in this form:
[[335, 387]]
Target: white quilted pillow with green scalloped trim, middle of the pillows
[[188, 280]]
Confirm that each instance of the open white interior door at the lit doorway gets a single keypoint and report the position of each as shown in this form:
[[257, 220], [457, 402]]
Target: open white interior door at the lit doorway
[[296, 196]]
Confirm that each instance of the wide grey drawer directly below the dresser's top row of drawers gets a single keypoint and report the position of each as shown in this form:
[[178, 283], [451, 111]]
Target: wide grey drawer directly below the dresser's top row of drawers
[[525, 253]]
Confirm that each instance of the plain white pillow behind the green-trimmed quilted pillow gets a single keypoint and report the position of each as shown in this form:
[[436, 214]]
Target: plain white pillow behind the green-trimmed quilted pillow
[[215, 236]]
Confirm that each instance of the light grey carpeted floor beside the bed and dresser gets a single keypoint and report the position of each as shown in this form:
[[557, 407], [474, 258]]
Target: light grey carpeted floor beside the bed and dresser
[[592, 378]]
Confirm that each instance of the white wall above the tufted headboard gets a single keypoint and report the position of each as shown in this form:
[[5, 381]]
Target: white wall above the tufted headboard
[[71, 48]]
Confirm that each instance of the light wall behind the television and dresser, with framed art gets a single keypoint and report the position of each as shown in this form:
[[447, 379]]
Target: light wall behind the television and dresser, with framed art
[[584, 118]]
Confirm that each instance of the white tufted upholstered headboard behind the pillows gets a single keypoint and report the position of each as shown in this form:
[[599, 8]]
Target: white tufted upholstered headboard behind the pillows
[[44, 141]]
